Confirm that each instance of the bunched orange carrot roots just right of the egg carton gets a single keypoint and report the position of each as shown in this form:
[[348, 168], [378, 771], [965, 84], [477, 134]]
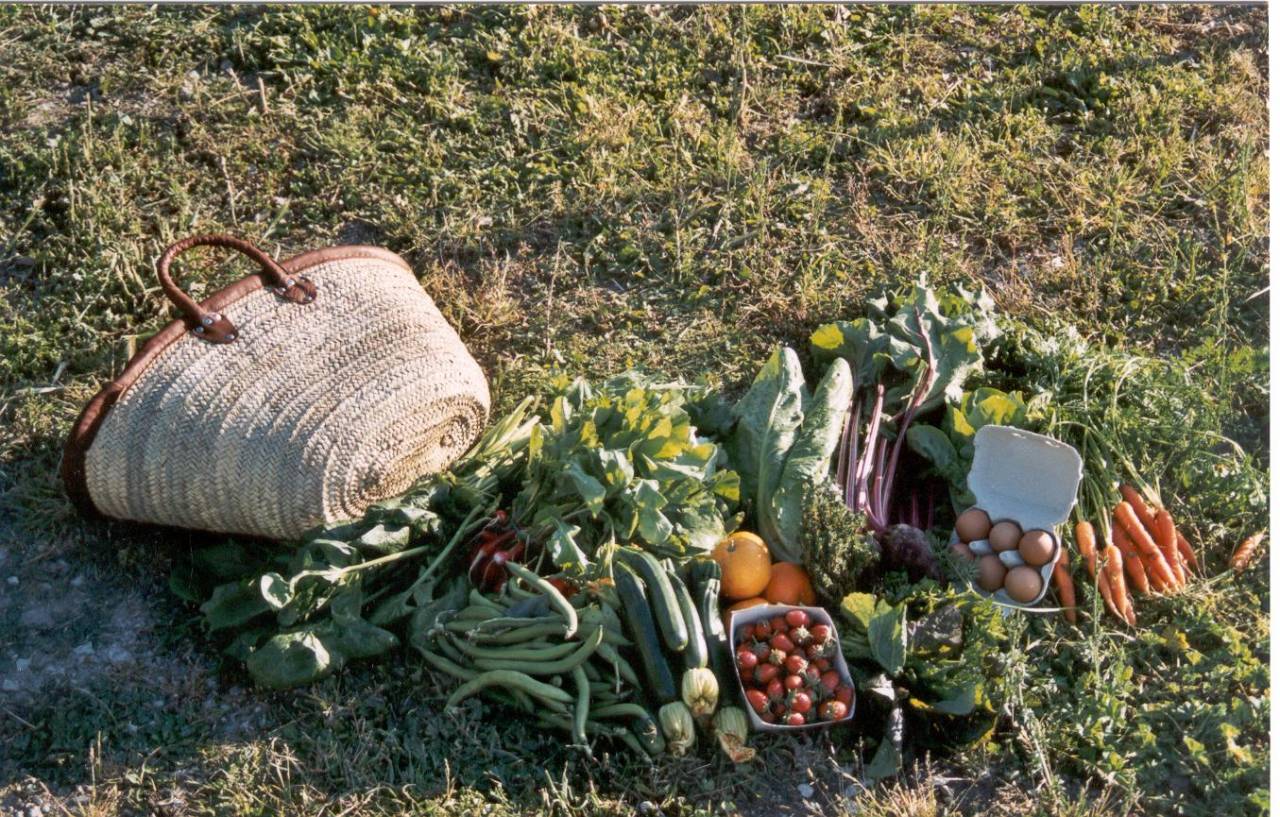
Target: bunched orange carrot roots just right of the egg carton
[[1145, 547]]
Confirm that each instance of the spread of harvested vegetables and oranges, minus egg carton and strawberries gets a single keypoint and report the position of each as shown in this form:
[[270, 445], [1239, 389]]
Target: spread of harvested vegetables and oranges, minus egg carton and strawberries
[[583, 564]]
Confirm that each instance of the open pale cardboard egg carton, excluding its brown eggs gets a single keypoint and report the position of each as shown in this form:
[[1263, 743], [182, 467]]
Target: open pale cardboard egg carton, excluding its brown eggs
[[1027, 478]]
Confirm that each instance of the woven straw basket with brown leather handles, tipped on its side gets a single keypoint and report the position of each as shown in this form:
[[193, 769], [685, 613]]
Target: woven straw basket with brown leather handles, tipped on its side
[[295, 398]]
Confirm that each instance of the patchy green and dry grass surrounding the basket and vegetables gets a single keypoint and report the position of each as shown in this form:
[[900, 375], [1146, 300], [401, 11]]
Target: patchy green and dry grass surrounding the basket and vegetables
[[678, 189]]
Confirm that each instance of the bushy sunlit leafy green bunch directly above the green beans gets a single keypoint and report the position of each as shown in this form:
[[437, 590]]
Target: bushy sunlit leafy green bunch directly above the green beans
[[624, 463]]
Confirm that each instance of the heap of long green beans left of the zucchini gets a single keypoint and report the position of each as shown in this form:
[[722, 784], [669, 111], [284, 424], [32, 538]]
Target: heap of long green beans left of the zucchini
[[557, 660]]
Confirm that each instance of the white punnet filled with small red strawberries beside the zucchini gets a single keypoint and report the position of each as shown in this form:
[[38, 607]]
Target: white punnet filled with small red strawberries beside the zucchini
[[788, 670]]
